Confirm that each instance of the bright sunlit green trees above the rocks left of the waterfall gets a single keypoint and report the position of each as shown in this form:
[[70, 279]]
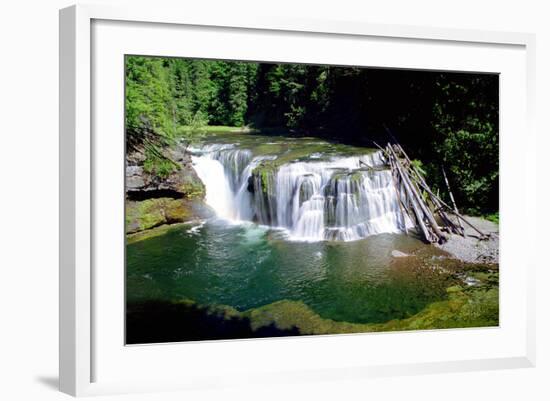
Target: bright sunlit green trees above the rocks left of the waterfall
[[169, 99]]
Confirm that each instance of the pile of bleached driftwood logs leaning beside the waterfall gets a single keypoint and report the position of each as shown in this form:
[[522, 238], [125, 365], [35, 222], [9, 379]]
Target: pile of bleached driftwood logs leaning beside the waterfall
[[435, 219]]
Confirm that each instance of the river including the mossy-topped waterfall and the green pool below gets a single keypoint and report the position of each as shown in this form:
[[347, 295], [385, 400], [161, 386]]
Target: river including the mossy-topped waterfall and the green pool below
[[293, 219]]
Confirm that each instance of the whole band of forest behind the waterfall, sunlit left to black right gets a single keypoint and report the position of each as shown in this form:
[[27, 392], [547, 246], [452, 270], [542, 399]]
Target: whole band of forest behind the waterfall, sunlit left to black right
[[444, 120]]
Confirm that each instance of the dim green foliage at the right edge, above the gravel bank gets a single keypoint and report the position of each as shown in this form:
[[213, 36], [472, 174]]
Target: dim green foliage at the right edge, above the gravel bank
[[465, 122]]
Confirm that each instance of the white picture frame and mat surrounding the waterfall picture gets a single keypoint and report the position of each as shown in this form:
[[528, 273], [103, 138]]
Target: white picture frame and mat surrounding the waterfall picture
[[82, 160]]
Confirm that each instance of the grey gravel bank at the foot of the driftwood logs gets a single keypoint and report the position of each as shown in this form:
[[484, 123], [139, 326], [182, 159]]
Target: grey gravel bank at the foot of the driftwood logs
[[471, 249]]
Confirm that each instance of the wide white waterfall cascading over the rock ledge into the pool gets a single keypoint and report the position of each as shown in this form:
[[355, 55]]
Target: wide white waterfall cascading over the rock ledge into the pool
[[344, 198]]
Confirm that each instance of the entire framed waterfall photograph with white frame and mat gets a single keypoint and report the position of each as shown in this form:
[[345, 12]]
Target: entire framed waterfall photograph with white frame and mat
[[280, 200]]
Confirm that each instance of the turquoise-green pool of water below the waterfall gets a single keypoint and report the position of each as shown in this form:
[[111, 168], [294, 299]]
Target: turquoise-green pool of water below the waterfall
[[247, 266]]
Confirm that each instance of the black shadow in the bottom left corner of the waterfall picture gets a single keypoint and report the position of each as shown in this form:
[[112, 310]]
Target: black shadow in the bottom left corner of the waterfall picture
[[163, 321]]
